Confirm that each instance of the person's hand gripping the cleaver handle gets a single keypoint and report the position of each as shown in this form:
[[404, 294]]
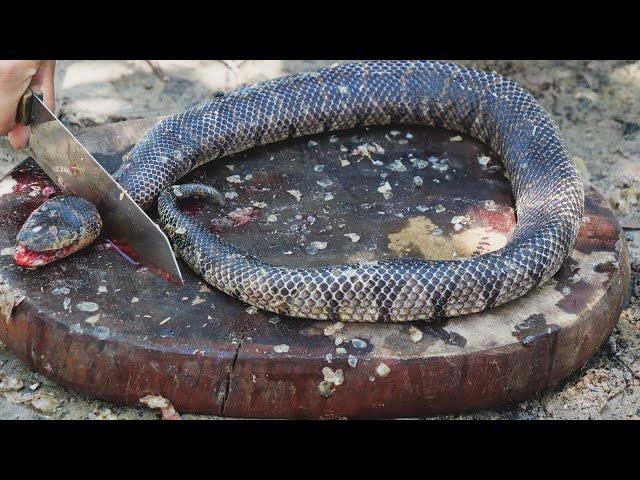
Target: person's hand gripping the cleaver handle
[[15, 77]]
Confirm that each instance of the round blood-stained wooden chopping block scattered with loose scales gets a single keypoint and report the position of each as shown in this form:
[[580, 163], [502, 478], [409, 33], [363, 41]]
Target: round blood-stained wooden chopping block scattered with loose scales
[[353, 196]]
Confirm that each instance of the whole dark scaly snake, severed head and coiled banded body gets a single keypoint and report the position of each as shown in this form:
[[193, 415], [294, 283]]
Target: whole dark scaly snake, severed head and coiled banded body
[[547, 190]]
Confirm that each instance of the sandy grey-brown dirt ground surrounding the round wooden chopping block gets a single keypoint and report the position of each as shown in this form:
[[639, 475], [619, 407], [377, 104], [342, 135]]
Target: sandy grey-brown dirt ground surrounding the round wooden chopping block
[[596, 103]]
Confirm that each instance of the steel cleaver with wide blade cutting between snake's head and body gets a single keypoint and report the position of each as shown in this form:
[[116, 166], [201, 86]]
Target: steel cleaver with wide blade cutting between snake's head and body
[[72, 168]]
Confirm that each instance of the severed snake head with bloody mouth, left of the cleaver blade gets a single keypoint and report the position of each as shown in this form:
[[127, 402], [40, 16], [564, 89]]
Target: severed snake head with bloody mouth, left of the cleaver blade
[[57, 228]]
